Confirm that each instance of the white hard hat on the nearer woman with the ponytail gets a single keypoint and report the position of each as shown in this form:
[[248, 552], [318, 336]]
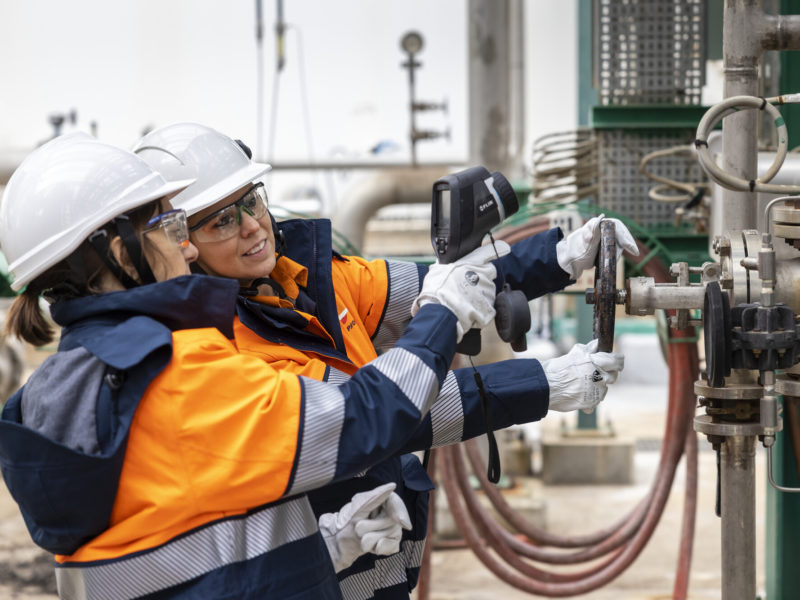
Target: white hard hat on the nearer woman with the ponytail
[[65, 190]]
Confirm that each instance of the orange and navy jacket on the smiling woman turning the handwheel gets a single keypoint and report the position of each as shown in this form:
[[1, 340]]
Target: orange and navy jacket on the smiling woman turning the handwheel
[[335, 312]]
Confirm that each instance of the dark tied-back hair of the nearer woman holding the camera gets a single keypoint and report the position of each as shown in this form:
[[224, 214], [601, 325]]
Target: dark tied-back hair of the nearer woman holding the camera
[[76, 276]]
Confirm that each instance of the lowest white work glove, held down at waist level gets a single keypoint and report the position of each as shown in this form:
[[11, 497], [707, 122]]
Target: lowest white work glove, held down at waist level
[[371, 522]]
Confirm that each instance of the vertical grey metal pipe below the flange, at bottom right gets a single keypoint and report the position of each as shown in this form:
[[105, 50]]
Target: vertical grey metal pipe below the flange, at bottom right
[[738, 500]]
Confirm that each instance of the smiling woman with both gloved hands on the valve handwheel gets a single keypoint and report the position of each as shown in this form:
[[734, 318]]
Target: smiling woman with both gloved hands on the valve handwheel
[[304, 308]]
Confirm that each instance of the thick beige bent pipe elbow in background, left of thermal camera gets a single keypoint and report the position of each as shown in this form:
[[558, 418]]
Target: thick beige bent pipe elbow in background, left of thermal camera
[[397, 186]]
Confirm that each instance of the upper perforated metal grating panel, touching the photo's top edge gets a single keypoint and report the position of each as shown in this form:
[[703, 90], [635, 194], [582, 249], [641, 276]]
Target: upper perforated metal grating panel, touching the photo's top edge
[[649, 51]]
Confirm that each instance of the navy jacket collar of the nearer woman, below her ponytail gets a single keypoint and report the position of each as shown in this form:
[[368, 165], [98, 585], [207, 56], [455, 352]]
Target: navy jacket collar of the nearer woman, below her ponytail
[[186, 302]]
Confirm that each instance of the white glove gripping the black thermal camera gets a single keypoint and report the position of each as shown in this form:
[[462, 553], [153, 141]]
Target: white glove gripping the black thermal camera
[[466, 287]]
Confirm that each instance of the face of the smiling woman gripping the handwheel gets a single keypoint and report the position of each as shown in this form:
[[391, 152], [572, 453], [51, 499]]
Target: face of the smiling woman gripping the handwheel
[[245, 256]]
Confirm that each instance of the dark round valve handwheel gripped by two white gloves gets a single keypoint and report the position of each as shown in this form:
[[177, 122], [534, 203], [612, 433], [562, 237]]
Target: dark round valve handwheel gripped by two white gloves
[[605, 288]]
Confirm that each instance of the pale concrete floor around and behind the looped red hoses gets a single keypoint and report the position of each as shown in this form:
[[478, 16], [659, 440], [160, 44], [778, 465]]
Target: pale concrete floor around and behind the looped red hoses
[[637, 410]]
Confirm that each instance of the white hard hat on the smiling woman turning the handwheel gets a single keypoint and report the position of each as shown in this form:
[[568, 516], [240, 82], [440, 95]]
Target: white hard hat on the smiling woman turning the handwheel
[[219, 163]]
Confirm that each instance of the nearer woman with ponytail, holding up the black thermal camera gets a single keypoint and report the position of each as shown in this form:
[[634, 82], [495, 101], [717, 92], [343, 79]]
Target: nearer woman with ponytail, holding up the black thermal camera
[[148, 454]]
